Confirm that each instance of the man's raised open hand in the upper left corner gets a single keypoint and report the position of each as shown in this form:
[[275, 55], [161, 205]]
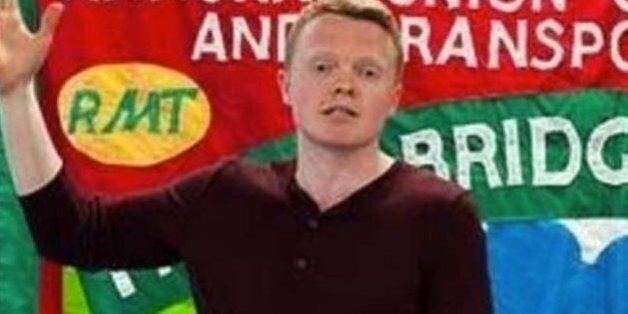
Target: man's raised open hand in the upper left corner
[[21, 52]]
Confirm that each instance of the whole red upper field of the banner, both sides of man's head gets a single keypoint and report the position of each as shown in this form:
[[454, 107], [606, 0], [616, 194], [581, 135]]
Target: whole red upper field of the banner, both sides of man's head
[[223, 49]]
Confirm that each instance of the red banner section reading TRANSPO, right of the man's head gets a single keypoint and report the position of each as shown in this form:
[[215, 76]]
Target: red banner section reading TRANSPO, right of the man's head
[[462, 49]]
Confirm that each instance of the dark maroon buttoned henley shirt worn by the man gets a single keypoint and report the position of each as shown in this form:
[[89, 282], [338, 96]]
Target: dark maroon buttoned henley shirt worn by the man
[[253, 242]]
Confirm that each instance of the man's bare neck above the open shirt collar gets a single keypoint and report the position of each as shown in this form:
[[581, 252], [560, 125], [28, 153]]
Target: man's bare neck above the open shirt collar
[[331, 175]]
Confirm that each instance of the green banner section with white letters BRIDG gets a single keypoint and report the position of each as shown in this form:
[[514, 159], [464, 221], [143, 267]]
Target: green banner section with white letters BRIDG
[[533, 156]]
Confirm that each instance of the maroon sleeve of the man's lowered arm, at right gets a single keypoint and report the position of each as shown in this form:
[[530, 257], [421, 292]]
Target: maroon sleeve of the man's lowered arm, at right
[[458, 280]]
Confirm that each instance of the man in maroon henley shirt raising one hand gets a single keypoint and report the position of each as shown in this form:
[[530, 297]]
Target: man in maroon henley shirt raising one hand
[[342, 229]]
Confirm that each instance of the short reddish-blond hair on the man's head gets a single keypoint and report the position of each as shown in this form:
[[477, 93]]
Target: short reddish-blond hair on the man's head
[[366, 10]]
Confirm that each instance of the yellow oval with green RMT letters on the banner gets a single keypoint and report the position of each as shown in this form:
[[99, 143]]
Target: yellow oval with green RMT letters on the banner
[[133, 114]]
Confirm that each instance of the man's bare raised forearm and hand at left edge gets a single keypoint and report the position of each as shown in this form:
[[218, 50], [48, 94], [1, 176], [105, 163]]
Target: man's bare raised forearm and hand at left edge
[[29, 150]]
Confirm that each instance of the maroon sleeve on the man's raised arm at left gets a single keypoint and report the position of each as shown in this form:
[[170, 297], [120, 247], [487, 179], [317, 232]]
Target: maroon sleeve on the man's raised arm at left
[[134, 231]]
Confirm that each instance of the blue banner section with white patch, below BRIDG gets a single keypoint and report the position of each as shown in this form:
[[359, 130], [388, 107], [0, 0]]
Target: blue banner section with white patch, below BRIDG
[[559, 266]]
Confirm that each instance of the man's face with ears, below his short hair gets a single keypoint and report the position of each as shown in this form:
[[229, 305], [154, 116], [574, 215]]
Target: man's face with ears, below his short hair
[[342, 84]]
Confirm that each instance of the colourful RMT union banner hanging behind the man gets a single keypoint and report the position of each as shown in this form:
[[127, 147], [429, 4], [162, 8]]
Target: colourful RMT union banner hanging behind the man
[[522, 102]]
